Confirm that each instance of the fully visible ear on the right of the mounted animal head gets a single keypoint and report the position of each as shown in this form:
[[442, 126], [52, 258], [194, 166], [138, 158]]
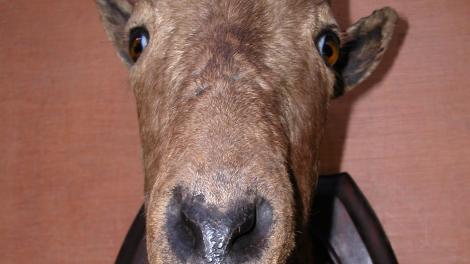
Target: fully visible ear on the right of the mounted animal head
[[364, 43]]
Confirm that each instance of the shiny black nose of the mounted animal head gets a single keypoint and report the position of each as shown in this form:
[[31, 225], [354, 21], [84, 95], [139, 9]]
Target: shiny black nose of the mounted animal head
[[200, 232]]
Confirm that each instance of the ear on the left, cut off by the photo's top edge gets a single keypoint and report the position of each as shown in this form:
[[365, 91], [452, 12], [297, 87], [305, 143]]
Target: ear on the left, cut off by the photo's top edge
[[114, 15]]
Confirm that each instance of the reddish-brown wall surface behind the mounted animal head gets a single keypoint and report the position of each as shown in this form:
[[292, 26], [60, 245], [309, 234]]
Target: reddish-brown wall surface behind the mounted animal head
[[70, 168]]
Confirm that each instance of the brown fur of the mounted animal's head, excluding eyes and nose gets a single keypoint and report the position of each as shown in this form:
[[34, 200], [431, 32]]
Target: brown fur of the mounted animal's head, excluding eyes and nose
[[232, 98]]
